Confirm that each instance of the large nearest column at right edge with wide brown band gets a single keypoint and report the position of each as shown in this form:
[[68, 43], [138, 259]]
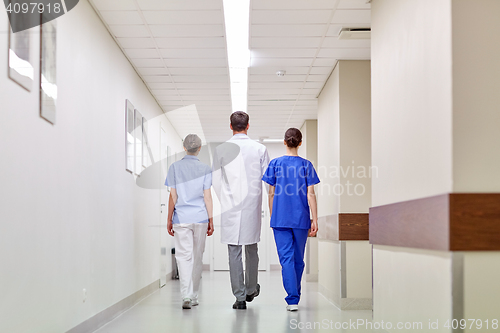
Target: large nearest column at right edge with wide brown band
[[435, 221]]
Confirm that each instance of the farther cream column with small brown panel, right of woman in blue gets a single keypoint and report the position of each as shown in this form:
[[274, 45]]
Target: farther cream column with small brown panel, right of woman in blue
[[344, 195]]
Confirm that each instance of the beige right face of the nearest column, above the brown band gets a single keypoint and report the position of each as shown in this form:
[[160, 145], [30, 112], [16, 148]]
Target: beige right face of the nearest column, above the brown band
[[476, 101]]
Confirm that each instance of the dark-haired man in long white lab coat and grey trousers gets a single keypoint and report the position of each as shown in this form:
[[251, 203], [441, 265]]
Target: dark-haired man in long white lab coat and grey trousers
[[239, 165]]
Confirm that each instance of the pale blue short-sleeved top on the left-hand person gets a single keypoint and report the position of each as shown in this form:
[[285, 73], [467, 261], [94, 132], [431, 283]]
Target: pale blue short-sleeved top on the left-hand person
[[189, 177]]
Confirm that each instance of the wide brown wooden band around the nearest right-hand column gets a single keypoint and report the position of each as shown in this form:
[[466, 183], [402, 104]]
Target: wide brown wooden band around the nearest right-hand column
[[449, 222]]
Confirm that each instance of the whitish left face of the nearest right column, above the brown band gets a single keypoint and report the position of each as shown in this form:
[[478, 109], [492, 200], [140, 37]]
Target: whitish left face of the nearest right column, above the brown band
[[411, 99]]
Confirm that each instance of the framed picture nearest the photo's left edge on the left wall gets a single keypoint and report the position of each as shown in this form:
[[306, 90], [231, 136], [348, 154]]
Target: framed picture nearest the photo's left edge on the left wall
[[20, 62]]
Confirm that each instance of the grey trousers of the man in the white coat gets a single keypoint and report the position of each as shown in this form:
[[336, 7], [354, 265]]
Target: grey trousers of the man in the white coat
[[243, 284]]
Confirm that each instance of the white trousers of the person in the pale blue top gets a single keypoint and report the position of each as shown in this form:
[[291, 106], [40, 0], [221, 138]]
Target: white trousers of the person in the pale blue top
[[189, 248]]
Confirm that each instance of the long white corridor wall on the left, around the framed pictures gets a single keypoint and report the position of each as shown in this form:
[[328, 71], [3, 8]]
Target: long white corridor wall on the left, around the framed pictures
[[72, 217]]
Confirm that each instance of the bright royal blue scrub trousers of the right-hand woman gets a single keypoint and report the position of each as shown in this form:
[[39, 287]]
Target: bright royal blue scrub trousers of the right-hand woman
[[291, 244]]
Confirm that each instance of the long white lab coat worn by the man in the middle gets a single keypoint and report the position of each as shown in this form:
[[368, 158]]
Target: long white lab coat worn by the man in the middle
[[239, 165]]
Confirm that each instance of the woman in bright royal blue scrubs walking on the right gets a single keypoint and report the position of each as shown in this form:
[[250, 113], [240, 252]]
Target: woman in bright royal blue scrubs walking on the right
[[292, 201]]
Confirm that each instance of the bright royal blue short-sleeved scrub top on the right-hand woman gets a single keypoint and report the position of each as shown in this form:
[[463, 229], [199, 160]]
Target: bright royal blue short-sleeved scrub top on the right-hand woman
[[291, 175]]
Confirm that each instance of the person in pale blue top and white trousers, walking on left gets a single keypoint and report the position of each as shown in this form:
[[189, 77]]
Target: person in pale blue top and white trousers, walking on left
[[190, 216]]
